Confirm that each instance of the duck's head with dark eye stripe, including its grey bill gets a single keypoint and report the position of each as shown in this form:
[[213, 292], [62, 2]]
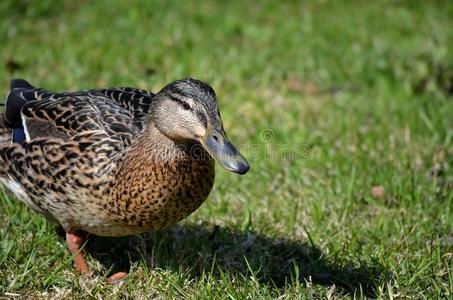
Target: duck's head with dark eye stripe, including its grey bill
[[186, 110]]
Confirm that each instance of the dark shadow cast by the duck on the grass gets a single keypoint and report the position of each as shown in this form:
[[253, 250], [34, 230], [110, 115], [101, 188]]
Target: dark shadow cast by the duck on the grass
[[206, 250]]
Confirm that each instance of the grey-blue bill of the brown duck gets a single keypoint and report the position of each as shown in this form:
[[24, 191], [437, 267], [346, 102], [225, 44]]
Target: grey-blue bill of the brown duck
[[221, 149]]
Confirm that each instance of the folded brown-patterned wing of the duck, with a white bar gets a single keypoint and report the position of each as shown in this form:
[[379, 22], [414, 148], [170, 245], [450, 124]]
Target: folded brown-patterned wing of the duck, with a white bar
[[72, 115]]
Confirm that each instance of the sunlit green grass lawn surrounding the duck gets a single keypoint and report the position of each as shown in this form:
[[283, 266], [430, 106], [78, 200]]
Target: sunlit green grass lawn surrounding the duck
[[327, 98]]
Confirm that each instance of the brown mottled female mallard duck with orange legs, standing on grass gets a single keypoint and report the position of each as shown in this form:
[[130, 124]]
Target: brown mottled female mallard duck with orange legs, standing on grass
[[113, 162]]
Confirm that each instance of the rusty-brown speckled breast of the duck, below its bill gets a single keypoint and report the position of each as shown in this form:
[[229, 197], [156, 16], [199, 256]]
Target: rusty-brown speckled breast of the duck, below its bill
[[152, 194]]
